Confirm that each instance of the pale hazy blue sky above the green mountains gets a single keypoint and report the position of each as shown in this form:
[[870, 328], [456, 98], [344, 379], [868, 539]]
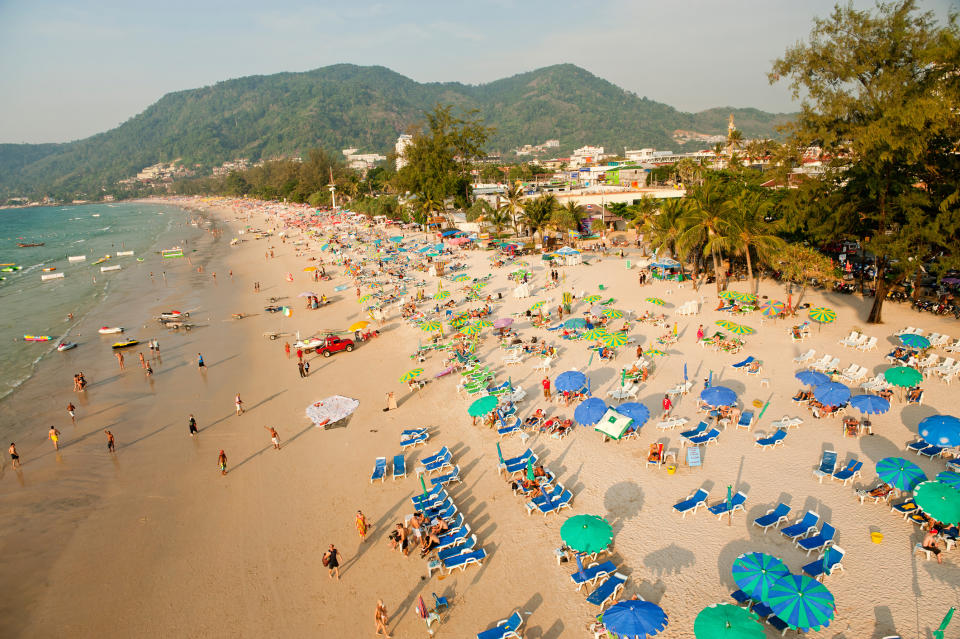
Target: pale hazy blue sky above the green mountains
[[70, 68]]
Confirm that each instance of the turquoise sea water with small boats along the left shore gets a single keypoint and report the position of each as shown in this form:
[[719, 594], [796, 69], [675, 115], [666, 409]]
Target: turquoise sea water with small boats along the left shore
[[31, 306]]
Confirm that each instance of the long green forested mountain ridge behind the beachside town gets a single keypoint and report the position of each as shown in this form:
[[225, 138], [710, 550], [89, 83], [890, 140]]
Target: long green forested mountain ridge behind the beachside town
[[344, 106]]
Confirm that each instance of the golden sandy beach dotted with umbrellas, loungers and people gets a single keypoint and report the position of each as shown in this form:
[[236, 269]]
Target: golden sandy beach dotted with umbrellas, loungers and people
[[153, 542]]
